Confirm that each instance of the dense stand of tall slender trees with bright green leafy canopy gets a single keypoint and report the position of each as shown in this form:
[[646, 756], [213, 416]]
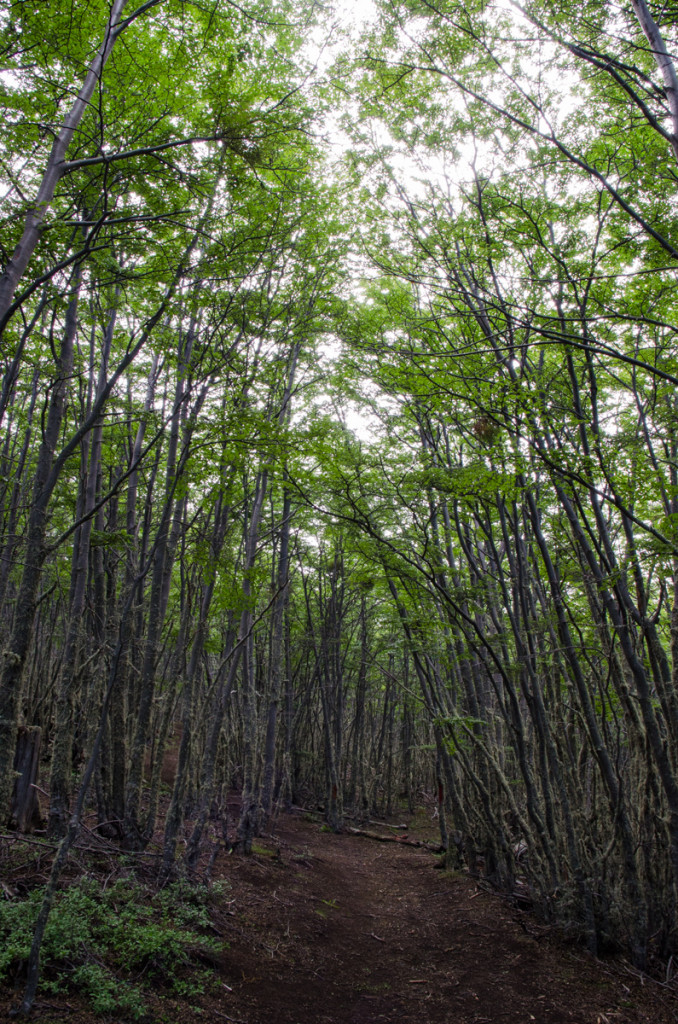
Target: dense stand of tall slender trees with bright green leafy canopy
[[340, 434]]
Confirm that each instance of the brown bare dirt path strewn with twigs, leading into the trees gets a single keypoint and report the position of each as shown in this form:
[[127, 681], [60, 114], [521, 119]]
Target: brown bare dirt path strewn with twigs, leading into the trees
[[341, 929]]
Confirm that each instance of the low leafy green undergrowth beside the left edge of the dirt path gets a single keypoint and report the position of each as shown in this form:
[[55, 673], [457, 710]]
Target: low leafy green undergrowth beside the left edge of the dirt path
[[111, 945]]
